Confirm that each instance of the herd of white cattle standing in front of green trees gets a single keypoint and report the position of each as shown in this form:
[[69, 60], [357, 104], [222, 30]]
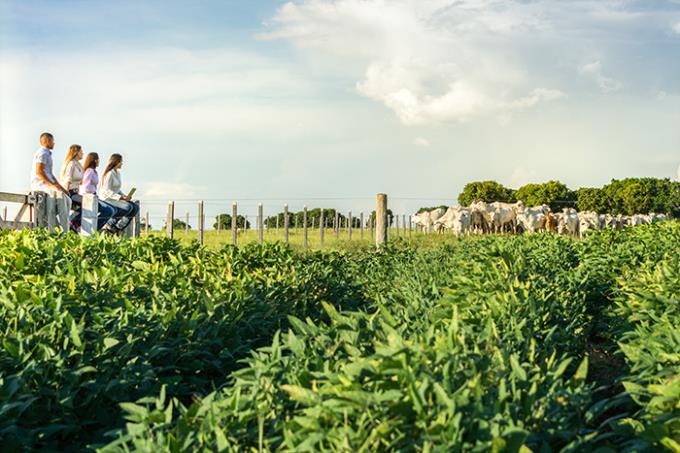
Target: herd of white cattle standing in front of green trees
[[481, 217]]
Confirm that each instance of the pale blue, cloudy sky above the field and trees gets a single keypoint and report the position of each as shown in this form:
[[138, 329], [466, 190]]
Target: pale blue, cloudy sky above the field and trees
[[324, 102]]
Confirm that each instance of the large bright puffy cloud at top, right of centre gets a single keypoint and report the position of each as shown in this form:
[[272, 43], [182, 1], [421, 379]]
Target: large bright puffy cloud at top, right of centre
[[429, 61]]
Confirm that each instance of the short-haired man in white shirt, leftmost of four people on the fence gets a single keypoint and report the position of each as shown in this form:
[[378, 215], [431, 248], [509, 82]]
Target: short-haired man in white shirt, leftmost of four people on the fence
[[43, 180]]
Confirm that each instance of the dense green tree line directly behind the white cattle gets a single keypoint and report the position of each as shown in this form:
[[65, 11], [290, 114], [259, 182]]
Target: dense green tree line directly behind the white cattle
[[627, 196]]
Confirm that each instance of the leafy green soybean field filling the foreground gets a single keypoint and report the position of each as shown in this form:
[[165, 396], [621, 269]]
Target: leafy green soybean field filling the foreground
[[484, 343]]
